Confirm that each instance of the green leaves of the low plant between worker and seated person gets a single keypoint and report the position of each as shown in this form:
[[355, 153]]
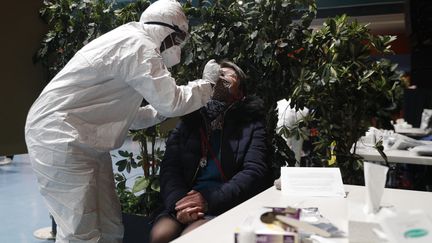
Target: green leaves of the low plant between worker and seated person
[[143, 197]]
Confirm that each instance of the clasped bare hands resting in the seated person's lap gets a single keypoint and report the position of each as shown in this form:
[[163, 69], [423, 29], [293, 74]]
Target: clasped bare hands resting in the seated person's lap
[[191, 207]]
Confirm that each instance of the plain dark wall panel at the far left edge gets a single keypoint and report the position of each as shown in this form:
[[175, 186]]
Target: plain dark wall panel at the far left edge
[[21, 81]]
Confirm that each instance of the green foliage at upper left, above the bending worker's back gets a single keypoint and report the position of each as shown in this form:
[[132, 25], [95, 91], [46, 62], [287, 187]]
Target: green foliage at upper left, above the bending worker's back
[[74, 23]]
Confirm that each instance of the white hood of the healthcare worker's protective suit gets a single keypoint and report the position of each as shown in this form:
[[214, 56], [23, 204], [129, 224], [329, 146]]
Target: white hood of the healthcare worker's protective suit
[[165, 11]]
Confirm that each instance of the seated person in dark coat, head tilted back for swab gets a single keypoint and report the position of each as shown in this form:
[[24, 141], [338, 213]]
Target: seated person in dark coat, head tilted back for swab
[[215, 159]]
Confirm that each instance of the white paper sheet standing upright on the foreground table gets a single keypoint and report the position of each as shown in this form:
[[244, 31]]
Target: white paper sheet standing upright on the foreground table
[[312, 182]]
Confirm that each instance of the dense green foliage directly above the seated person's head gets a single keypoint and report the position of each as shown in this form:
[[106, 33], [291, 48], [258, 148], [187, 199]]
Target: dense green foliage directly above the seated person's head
[[256, 35]]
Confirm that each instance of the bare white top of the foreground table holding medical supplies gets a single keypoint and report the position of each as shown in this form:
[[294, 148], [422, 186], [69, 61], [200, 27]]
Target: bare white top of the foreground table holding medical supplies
[[337, 210]]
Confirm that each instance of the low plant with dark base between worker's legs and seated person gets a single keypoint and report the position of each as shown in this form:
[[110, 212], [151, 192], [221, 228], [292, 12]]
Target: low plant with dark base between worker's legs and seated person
[[140, 201]]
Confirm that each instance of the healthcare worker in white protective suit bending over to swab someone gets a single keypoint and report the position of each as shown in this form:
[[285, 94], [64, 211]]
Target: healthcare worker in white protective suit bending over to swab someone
[[88, 108]]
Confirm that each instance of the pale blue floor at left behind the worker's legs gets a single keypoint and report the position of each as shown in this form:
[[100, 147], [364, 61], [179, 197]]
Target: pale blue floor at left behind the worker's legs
[[22, 209]]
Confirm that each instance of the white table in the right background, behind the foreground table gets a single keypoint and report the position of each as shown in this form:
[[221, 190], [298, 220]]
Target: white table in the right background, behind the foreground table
[[395, 156]]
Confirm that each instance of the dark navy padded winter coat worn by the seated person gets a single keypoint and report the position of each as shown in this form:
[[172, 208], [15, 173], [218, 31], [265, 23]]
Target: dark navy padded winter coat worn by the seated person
[[244, 155]]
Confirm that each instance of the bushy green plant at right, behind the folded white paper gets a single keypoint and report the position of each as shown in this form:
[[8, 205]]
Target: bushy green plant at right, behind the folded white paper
[[345, 89]]
